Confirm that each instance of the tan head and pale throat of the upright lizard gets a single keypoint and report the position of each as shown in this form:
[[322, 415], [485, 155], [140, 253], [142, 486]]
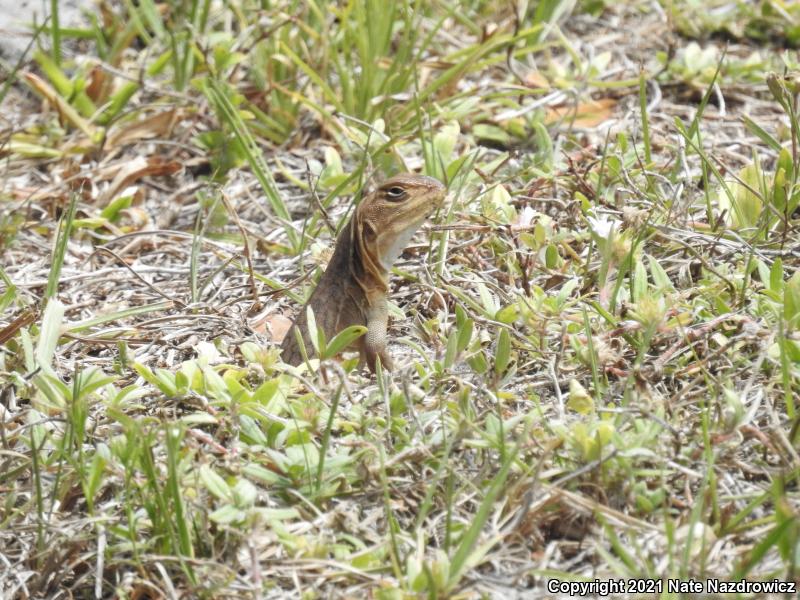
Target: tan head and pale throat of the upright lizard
[[387, 219]]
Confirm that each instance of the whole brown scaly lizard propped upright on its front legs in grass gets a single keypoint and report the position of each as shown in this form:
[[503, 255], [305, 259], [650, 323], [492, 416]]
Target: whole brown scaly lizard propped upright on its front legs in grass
[[353, 288]]
